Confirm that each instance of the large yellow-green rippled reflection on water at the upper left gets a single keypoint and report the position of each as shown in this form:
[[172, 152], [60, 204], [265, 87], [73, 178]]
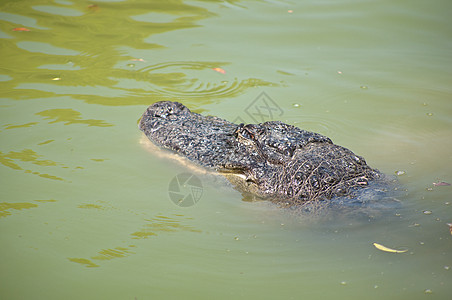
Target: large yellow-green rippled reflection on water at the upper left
[[58, 50]]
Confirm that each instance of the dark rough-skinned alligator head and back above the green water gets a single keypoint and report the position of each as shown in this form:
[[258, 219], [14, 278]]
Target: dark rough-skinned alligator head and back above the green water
[[271, 160]]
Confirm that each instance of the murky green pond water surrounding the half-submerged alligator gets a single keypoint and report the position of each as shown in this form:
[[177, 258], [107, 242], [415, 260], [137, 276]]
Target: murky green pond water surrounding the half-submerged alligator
[[85, 211]]
